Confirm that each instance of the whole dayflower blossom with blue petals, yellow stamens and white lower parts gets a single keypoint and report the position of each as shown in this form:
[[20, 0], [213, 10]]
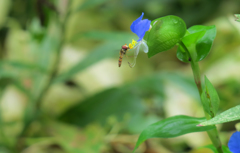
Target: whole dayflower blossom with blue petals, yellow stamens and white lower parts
[[139, 27]]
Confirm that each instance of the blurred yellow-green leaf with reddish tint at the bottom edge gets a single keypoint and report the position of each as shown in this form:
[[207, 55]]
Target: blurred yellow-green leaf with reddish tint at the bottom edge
[[87, 140]]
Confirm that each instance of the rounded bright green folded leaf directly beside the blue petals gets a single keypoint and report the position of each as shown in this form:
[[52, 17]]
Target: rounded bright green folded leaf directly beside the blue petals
[[165, 33]]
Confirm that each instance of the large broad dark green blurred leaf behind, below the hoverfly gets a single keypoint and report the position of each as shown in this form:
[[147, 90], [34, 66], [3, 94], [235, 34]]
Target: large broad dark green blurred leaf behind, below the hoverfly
[[118, 102]]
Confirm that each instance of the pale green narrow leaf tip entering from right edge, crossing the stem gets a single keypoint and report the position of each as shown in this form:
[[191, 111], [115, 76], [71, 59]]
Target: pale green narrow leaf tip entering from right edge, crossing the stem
[[229, 115]]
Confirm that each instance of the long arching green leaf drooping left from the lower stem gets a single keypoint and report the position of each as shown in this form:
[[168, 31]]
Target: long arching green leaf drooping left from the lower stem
[[172, 127]]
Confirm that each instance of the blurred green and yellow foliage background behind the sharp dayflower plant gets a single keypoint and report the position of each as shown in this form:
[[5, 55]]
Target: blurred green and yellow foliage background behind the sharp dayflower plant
[[63, 92]]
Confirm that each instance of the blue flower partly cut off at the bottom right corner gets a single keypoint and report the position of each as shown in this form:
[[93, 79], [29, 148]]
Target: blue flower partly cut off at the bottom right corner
[[234, 143]]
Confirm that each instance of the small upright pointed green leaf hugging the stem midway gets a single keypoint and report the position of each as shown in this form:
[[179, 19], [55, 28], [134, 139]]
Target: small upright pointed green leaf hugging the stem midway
[[210, 98]]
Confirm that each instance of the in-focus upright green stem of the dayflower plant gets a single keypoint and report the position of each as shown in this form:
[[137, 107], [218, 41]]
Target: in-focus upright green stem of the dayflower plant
[[213, 134]]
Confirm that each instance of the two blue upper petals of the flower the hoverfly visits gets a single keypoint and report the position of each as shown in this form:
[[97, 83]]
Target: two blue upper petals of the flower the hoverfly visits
[[139, 27]]
